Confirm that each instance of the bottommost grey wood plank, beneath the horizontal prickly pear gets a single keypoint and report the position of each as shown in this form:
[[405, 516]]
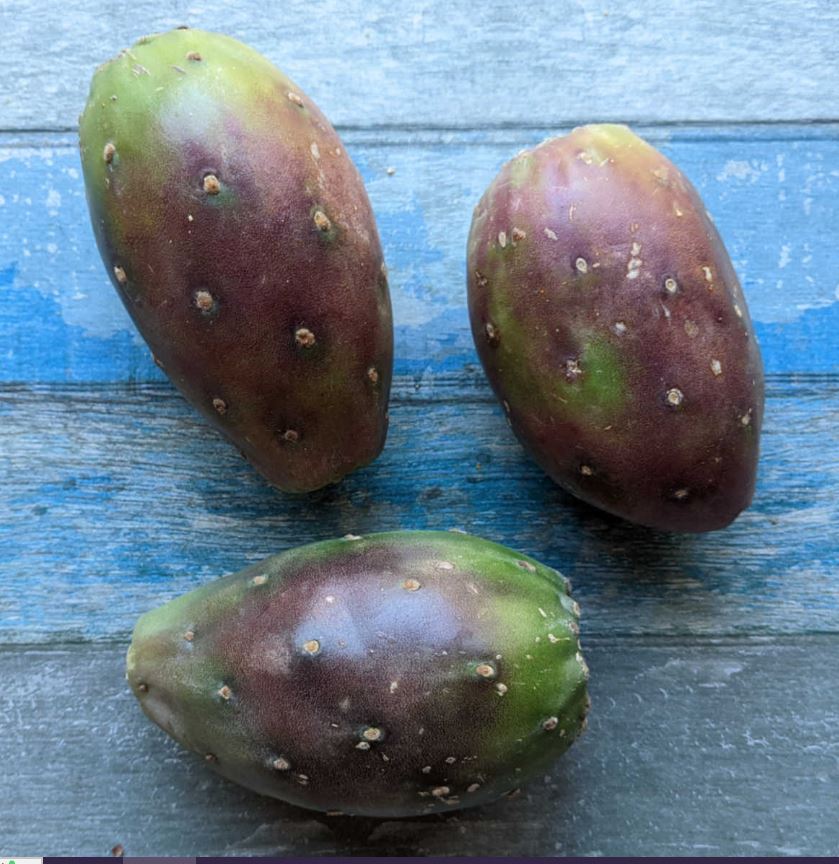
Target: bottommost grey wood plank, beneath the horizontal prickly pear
[[692, 749]]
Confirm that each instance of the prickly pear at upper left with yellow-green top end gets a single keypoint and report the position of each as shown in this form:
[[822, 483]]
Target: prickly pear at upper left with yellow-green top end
[[240, 238]]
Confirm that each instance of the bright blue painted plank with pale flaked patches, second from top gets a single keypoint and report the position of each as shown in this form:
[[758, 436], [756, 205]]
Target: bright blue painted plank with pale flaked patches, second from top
[[773, 192]]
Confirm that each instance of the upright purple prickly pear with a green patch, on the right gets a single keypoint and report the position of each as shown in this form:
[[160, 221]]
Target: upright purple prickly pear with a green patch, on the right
[[611, 325]]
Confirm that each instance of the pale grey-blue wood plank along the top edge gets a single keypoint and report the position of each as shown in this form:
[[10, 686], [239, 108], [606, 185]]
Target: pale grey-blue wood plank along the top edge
[[440, 63]]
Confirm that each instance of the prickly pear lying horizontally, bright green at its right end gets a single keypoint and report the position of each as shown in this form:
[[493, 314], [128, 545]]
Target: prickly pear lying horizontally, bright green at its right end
[[390, 675]]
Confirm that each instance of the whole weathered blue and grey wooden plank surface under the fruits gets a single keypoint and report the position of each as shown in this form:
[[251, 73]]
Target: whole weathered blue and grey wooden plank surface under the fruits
[[715, 658]]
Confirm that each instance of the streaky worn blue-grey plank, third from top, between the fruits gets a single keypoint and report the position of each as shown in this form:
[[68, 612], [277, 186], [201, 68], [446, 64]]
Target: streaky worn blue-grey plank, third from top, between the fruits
[[119, 498]]
